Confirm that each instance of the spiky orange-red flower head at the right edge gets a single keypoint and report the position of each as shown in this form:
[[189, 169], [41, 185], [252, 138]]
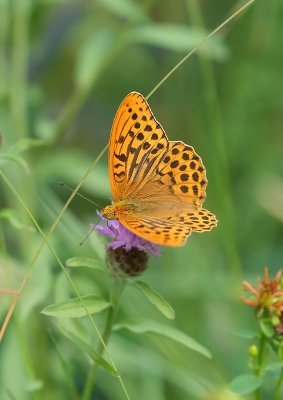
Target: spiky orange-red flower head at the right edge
[[268, 295]]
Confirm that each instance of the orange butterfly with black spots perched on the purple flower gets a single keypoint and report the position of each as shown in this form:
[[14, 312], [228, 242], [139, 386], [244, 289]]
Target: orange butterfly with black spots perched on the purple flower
[[158, 186]]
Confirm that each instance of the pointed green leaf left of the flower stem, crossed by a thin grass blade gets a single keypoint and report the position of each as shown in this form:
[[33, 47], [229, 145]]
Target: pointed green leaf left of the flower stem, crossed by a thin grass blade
[[73, 308]]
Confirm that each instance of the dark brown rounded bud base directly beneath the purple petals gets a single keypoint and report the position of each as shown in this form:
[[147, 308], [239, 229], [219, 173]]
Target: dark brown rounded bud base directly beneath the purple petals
[[126, 264]]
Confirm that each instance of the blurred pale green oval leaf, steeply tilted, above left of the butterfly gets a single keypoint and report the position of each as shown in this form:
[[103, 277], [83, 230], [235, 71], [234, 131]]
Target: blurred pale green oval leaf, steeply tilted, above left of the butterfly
[[92, 57]]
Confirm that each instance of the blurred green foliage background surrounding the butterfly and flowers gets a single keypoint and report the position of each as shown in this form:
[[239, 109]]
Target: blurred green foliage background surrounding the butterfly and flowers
[[65, 66]]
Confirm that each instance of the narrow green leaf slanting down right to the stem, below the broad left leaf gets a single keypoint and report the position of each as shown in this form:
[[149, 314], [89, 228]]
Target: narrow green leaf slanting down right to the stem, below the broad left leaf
[[89, 350]]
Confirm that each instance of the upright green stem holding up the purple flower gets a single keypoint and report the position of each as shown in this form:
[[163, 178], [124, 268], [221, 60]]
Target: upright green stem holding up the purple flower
[[116, 292]]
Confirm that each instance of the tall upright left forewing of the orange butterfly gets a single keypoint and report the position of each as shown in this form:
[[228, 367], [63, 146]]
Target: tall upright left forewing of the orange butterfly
[[137, 145]]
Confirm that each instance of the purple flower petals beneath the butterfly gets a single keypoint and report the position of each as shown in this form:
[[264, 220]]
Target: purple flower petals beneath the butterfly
[[125, 238]]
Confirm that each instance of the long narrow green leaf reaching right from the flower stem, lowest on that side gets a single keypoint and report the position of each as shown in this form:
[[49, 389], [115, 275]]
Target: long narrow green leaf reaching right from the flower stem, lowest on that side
[[167, 332]]
